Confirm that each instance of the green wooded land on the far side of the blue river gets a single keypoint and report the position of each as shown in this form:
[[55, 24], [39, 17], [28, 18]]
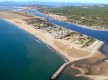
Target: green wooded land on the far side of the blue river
[[92, 16]]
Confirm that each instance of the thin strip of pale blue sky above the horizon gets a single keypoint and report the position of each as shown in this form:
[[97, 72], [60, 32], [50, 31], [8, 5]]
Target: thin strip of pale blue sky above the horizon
[[83, 1]]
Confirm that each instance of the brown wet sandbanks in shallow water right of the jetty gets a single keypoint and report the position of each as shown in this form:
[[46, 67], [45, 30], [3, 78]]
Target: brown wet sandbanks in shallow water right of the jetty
[[93, 67]]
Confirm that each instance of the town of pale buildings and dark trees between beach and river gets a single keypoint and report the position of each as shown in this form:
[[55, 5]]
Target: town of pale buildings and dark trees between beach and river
[[58, 32]]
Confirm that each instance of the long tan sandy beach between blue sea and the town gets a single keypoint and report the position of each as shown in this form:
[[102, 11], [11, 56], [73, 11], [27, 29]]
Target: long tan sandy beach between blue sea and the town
[[70, 52]]
